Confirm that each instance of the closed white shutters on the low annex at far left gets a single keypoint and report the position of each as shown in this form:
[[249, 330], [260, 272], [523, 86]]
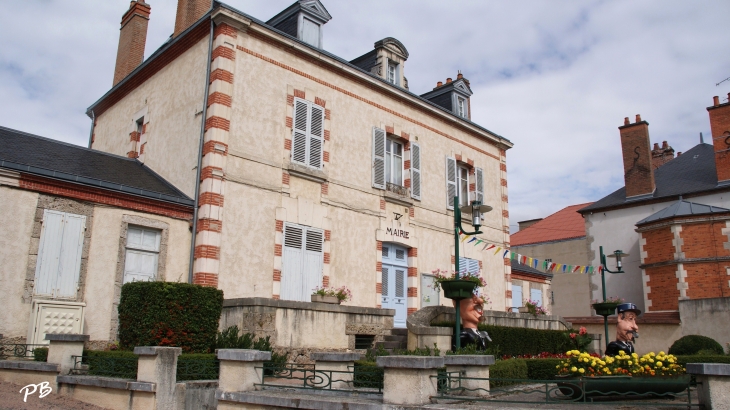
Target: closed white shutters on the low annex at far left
[[59, 254]]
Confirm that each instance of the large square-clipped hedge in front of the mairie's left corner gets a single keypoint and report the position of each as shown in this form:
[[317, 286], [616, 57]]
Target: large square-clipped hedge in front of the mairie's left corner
[[169, 314]]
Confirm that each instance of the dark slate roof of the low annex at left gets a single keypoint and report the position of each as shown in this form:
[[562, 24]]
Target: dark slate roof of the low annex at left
[[23, 152]]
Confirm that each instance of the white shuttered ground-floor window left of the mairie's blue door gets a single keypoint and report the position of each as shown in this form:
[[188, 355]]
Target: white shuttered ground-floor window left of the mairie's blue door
[[302, 261]]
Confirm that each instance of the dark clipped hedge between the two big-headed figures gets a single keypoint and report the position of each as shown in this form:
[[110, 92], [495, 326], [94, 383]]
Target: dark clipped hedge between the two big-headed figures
[[515, 341]]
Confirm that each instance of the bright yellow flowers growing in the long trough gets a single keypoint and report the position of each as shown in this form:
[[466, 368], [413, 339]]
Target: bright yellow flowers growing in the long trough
[[650, 364]]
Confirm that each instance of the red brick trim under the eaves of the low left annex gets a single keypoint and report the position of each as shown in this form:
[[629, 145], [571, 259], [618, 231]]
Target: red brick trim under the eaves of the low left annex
[[102, 196]]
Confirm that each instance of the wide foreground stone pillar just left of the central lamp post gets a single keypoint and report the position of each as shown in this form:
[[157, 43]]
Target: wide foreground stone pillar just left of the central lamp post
[[408, 379]]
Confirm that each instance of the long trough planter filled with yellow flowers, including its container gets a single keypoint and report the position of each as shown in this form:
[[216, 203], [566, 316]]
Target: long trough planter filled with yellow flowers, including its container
[[622, 374]]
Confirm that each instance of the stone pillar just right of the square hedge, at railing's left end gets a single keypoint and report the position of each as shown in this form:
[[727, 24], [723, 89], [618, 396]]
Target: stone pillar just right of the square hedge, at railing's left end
[[239, 369]]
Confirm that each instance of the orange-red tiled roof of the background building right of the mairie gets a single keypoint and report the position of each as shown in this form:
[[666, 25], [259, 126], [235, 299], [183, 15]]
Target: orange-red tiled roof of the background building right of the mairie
[[564, 224]]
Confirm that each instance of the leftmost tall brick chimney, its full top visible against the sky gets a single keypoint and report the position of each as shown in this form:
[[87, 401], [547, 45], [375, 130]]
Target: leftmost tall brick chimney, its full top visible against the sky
[[132, 38]]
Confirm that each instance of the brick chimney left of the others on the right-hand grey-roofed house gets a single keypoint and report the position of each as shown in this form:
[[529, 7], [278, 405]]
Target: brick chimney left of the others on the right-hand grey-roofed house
[[636, 149]]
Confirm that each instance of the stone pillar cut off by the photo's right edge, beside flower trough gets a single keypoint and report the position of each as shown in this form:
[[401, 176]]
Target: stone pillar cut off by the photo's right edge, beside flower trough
[[713, 389]]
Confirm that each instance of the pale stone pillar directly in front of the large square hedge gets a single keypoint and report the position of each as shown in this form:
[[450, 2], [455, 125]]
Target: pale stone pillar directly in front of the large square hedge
[[158, 365]]
